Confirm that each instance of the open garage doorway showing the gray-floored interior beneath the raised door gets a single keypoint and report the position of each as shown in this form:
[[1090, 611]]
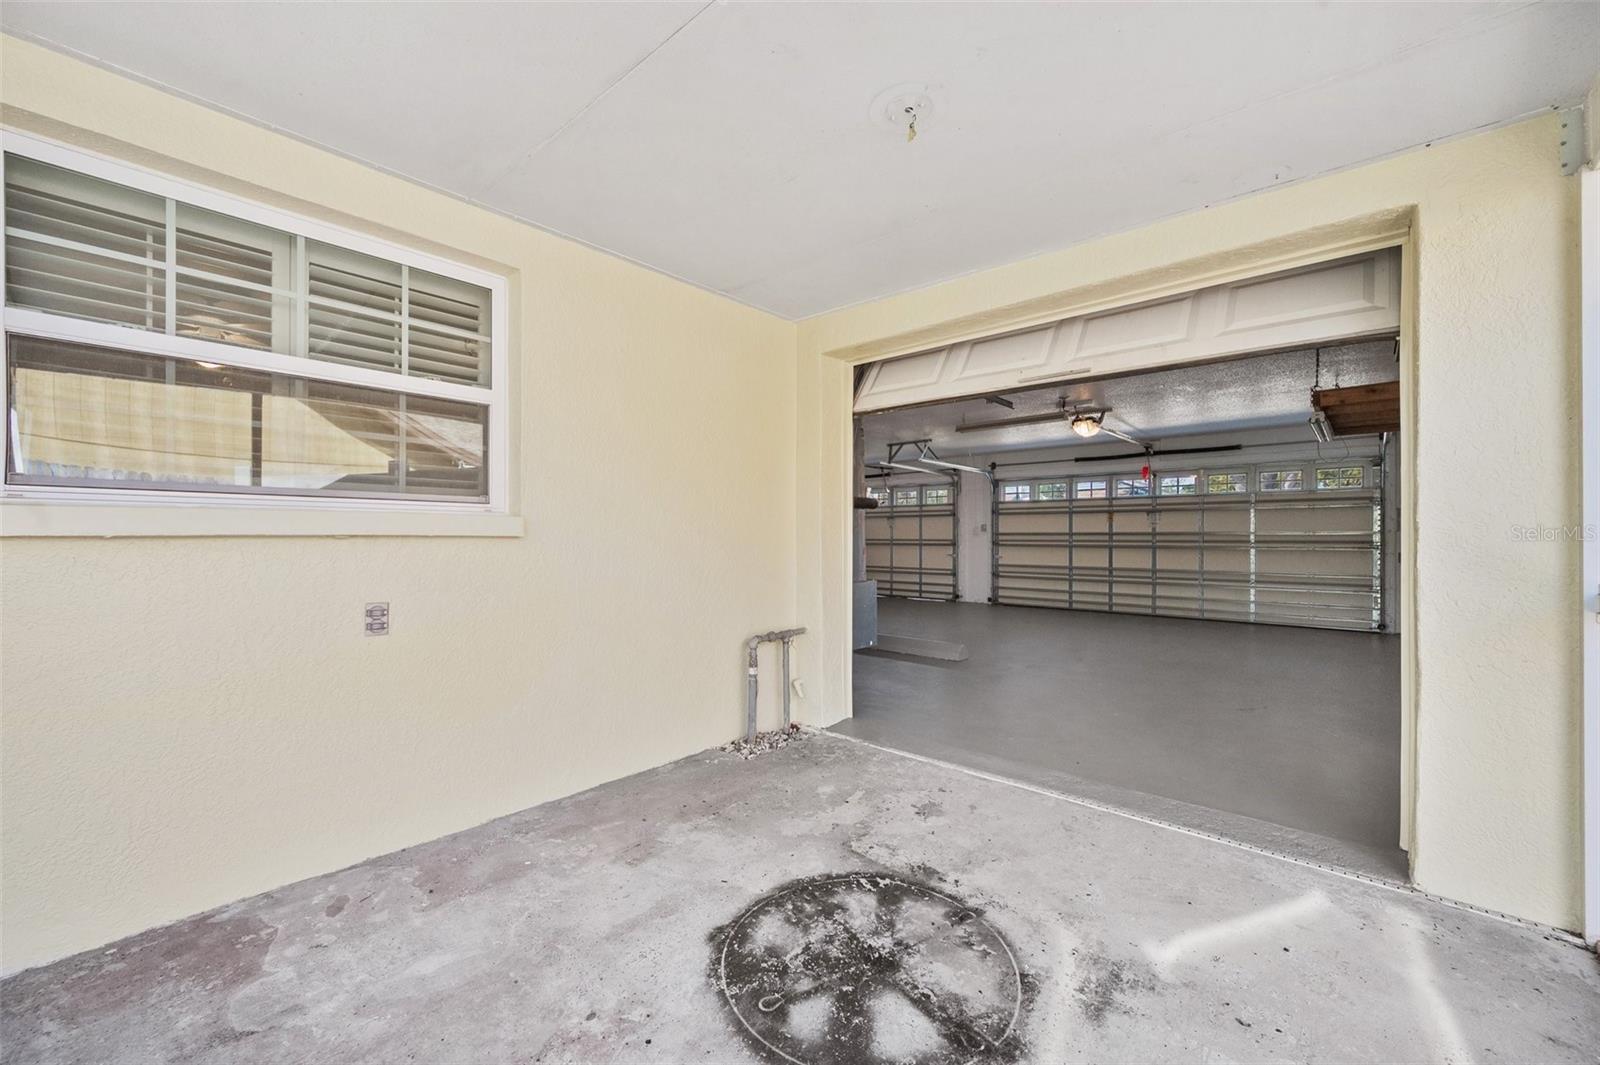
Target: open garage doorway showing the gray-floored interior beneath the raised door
[[1174, 592]]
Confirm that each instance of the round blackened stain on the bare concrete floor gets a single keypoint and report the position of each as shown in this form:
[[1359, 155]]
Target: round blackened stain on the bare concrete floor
[[865, 968]]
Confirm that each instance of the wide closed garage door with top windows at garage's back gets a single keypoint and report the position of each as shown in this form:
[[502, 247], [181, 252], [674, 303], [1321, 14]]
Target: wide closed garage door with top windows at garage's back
[[1279, 544]]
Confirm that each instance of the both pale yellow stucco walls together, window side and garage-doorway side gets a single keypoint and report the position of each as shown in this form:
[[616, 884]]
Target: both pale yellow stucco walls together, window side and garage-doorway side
[[185, 722]]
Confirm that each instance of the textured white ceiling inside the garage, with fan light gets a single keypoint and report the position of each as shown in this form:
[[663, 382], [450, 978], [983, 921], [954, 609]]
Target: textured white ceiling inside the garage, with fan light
[[1230, 397]]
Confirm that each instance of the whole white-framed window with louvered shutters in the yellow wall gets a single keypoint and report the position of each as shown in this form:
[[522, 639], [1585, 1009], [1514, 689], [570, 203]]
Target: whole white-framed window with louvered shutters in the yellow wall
[[169, 338]]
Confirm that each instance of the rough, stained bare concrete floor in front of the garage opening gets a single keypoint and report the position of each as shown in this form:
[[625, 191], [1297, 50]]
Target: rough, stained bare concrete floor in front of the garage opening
[[834, 903]]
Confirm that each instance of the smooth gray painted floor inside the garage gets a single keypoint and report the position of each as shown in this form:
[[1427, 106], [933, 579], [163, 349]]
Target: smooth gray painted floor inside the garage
[[1282, 738]]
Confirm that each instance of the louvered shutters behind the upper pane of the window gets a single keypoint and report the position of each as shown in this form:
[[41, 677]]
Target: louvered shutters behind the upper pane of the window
[[90, 249]]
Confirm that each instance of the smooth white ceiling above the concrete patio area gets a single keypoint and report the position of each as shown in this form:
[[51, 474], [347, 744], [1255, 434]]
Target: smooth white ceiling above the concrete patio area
[[735, 146]]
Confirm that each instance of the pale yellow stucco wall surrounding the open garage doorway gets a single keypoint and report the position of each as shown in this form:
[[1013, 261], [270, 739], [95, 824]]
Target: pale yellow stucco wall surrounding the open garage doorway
[[1495, 231]]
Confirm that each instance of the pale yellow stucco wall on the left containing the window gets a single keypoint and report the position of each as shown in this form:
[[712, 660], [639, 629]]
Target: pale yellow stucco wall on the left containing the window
[[188, 722]]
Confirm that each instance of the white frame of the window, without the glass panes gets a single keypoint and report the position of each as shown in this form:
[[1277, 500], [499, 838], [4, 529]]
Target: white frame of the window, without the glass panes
[[39, 324]]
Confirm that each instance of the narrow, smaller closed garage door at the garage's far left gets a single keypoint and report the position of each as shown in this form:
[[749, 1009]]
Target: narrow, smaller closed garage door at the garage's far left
[[911, 541]]
